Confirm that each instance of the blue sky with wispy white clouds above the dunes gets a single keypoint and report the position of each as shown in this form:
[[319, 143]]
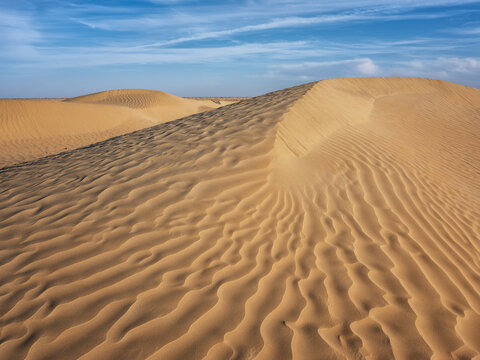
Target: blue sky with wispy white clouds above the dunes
[[64, 48]]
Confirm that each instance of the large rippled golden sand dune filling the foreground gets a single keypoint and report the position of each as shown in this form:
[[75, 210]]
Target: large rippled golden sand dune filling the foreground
[[333, 220]]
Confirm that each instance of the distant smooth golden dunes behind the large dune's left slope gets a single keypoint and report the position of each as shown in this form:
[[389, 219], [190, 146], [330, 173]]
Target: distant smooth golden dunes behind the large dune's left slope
[[33, 128]]
